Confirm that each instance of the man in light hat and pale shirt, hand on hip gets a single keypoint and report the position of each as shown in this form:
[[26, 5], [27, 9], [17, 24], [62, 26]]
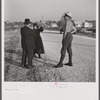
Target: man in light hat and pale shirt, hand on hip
[[67, 39]]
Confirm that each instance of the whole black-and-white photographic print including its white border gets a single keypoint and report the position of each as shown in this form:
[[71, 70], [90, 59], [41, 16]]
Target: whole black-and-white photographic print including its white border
[[50, 41]]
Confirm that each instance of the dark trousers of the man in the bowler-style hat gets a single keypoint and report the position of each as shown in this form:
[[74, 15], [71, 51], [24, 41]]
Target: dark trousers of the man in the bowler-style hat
[[26, 53]]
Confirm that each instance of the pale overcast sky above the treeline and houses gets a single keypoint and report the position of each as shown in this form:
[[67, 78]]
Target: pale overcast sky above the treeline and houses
[[18, 10]]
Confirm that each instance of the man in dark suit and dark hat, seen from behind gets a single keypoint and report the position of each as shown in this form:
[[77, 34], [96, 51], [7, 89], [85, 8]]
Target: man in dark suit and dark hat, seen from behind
[[27, 43]]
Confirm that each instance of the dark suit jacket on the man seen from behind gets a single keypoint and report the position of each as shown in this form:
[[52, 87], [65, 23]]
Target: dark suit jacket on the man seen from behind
[[27, 38]]
